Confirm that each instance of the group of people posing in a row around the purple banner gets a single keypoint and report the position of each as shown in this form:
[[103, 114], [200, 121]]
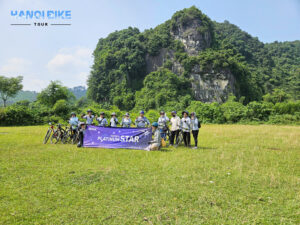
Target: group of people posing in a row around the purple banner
[[187, 124]]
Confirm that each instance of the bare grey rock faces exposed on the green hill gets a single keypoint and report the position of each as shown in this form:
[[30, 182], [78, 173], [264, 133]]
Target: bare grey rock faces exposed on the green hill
[[208, 86]]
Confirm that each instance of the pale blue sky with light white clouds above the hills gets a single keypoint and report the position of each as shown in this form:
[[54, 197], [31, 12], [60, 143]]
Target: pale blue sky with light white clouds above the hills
[[42, 54]]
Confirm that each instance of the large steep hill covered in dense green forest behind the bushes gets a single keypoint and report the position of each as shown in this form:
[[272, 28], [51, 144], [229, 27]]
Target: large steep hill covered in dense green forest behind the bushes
[[119, 74]]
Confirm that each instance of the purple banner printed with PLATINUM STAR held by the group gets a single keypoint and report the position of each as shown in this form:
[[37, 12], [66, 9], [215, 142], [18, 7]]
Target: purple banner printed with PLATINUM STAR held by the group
[[117, 137]]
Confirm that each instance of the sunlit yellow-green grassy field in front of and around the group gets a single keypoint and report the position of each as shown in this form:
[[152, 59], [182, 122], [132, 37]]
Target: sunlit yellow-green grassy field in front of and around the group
[[240, 175]]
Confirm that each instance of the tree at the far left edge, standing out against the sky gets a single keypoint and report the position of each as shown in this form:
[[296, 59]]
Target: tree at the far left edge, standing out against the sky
[[9, 87]]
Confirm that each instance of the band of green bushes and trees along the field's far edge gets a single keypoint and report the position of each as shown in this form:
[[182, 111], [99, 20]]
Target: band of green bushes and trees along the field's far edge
[[56, 102]]
